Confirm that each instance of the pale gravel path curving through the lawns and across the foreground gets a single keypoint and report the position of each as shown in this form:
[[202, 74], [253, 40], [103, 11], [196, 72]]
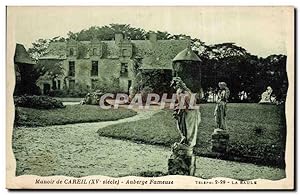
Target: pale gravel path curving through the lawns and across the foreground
[[77, 150]]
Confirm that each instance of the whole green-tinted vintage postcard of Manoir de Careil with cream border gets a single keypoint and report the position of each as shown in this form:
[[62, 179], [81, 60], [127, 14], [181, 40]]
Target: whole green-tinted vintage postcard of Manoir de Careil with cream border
[[150, 97]]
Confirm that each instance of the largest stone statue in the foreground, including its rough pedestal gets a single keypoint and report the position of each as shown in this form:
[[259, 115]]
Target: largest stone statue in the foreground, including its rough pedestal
[[182, 160]]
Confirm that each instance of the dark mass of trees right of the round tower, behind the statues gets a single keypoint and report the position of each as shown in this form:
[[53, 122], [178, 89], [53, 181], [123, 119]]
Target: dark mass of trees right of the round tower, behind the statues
[[241, 70]]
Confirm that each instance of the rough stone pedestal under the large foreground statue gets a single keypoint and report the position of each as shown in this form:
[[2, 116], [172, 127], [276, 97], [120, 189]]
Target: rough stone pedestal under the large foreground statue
[[182, 160]]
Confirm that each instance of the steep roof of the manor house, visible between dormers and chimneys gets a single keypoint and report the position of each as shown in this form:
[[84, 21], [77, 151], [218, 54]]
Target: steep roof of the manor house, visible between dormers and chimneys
[[155, 55]]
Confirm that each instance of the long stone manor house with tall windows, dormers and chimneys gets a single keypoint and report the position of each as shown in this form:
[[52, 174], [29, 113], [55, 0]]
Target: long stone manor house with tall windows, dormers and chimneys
[[88, 62]]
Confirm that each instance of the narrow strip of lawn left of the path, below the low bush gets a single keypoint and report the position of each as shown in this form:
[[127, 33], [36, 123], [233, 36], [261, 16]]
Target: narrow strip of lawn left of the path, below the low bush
[[70, 114]]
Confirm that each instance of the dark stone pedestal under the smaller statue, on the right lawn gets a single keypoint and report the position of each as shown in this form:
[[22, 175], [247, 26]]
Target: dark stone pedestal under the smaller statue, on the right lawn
[[219, 141]]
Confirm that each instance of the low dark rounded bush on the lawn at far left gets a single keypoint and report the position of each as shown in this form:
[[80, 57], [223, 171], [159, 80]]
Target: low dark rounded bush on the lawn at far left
[[39, 102]]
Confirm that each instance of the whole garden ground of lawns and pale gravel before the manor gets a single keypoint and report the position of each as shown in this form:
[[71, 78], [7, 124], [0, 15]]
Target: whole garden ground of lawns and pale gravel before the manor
[[96, 144]]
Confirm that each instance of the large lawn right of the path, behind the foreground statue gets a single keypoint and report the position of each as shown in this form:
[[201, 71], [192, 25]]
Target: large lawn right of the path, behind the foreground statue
[[257, 132]]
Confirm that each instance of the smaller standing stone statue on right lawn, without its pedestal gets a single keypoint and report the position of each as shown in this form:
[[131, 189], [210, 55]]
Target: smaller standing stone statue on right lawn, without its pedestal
[[221, 107]]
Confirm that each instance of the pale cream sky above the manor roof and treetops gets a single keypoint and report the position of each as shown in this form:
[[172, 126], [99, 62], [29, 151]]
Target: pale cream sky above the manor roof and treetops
[[261, 31]]
